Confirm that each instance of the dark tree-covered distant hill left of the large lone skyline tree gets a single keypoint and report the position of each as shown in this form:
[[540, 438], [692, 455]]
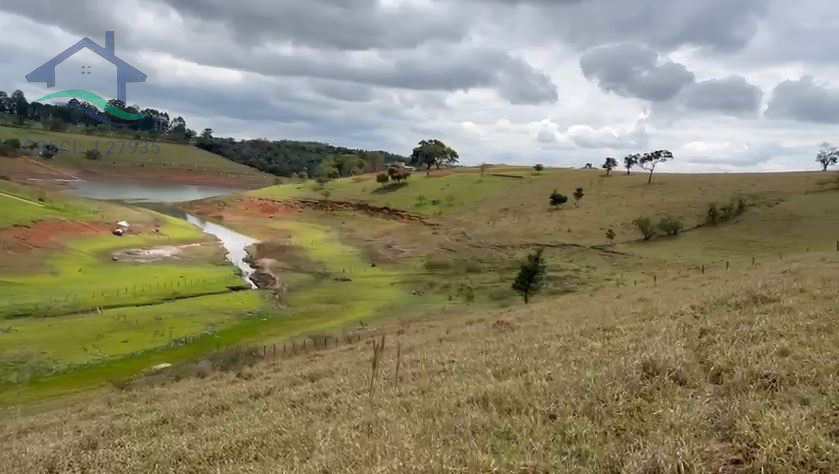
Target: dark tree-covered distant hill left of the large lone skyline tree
[[303, 159]]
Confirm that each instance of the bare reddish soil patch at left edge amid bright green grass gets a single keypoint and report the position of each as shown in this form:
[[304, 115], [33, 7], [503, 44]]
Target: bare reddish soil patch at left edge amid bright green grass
[[48, 234]]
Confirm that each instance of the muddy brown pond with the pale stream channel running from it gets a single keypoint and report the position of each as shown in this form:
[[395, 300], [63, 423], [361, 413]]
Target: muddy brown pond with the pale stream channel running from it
[[163, 198]]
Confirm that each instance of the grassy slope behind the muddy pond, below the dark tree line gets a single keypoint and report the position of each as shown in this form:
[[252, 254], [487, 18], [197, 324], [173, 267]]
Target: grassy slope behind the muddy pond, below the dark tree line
[[138, 159]]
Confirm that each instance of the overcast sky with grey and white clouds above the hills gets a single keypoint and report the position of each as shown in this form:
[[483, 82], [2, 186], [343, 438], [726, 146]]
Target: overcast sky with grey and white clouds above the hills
[[728, 85]]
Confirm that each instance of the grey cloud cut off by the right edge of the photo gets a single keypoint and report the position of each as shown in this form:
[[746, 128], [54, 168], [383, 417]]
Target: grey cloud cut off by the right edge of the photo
[[804, 100]]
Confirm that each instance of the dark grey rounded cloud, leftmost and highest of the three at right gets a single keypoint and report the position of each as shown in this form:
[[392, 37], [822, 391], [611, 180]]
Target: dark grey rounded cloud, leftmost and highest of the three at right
[[632, 70]]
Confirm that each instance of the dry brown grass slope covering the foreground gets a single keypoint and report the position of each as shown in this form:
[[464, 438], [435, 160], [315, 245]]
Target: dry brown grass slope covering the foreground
[[726, 372]]
